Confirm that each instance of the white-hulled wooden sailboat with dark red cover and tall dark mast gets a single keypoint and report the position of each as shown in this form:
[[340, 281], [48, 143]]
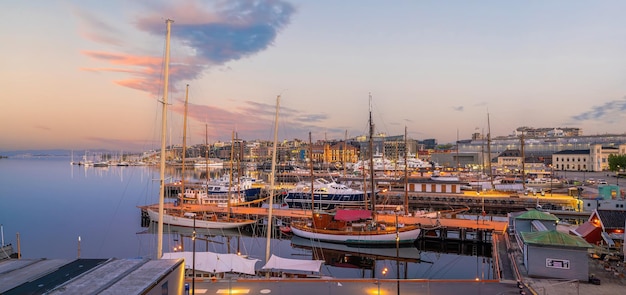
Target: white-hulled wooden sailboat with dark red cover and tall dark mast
[[355, 226]]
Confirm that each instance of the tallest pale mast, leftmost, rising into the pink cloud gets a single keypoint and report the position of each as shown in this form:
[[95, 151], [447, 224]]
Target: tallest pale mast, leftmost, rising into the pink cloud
[[168, 23]]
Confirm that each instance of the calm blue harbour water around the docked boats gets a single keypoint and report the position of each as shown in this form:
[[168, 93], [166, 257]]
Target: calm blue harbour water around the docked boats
[[52, 203]]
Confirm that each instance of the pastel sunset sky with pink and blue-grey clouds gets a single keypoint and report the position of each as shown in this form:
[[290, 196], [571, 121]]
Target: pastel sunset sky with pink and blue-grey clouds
[[89, 74]]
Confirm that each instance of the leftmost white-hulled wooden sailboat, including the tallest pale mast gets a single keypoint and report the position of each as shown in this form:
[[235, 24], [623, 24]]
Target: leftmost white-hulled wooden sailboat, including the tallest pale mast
[[180, 213]]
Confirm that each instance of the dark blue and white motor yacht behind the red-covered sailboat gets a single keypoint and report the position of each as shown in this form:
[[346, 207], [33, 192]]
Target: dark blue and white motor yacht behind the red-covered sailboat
[[327, 195]]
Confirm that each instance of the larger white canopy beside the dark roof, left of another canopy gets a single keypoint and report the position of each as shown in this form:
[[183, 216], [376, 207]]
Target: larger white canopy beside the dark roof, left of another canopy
[[216, 263]]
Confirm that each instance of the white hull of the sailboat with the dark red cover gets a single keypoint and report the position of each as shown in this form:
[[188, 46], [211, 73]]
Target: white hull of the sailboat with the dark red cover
[[406, 235]]
